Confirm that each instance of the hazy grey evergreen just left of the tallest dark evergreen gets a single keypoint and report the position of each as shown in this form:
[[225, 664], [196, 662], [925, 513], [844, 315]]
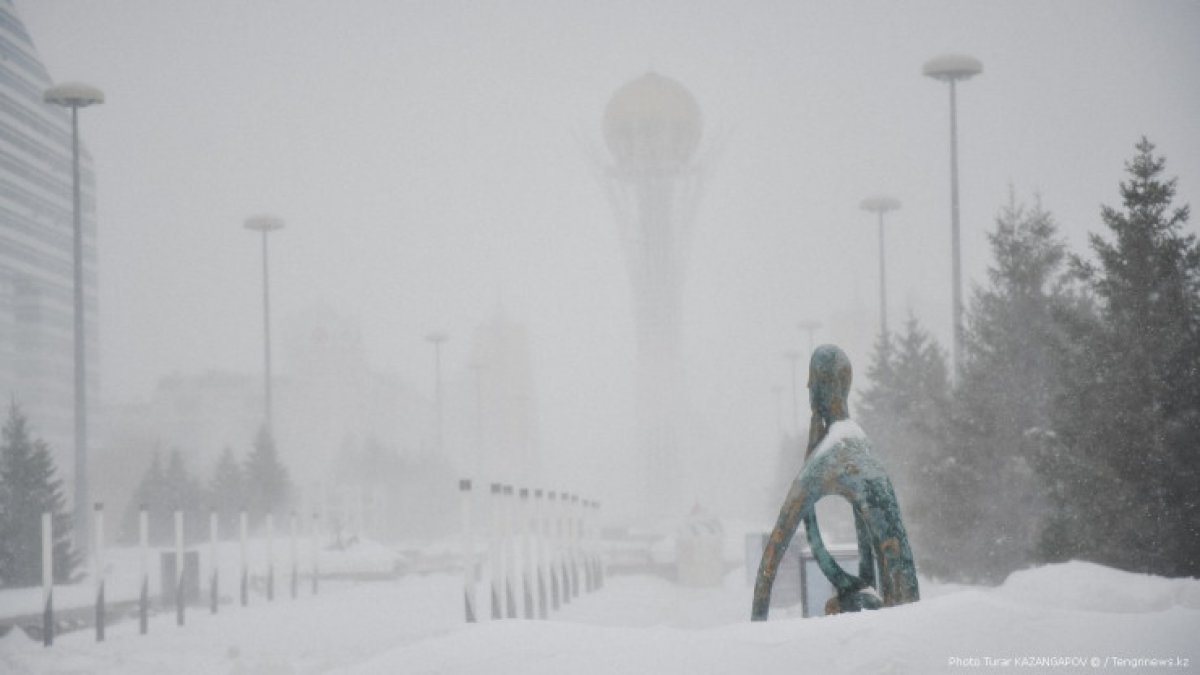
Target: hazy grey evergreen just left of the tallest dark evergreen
[[1015, 354]]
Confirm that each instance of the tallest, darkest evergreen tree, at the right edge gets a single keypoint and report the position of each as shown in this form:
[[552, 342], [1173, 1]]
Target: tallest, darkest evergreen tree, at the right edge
[[1143, 416]]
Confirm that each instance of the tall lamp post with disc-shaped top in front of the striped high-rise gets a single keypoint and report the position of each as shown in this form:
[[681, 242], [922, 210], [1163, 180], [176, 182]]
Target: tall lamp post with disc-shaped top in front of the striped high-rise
[[77, 95]]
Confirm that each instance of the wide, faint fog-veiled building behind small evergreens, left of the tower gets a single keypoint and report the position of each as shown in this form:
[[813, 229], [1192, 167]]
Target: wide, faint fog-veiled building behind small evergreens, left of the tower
[[328, 402]]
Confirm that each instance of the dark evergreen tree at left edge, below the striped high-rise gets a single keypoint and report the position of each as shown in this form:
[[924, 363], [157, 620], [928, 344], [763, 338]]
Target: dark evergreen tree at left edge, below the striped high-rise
[[28, 489]]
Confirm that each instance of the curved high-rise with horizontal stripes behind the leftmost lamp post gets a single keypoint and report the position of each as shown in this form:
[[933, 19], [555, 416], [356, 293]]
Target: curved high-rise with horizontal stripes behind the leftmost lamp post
[[37, 258]]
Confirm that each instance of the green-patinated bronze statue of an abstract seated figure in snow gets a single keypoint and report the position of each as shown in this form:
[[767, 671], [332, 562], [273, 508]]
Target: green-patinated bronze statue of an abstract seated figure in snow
[[839, 462]]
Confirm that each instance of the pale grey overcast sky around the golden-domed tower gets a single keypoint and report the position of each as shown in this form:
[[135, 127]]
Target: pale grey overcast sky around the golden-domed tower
[[433, 160]]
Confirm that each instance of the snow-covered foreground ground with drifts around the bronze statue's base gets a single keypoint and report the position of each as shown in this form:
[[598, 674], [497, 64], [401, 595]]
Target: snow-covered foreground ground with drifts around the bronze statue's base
[[1058, 619]]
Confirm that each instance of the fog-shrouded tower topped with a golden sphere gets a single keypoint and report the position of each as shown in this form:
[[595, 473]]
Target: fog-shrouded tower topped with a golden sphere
[[652, 128]]
